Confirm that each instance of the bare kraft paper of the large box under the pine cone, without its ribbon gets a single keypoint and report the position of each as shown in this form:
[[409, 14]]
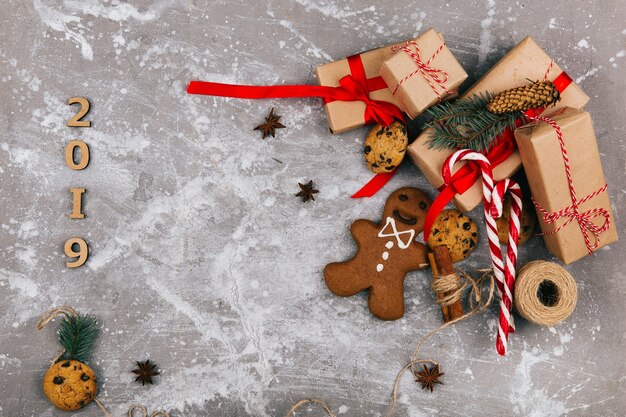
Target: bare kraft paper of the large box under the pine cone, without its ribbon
[[526, 61]]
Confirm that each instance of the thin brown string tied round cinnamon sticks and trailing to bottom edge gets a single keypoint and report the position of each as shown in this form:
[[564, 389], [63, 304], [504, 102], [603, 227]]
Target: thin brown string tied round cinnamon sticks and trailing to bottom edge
[[457, 282]]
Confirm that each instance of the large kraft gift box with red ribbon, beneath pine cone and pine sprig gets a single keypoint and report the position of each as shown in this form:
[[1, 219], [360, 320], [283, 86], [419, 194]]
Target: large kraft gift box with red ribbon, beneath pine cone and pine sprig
[[526, 61]]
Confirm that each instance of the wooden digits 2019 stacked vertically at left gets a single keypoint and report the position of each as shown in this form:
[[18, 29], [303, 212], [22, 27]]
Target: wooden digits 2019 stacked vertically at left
[[76, 247]]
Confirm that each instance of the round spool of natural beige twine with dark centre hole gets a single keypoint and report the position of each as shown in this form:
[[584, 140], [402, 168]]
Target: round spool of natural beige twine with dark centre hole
[[545, 293]]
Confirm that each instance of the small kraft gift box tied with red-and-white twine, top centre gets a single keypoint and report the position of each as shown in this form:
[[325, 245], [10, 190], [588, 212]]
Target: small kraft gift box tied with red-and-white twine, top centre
[[417, 91]]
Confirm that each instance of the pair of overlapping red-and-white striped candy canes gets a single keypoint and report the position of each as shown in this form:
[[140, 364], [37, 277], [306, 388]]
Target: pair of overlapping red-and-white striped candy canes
[[493, 197]]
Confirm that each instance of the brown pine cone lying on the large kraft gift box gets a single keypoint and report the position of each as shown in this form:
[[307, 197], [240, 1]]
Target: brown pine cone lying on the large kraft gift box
[[531, 96]]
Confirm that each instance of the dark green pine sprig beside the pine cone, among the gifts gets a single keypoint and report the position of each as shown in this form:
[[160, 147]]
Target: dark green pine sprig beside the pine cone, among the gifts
[[467, 124]]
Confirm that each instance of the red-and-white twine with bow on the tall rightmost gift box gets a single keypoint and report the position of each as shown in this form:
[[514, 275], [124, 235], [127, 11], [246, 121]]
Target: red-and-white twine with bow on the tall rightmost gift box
[[584, 219]]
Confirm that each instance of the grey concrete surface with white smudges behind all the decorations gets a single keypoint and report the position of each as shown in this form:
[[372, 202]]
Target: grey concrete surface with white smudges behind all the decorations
[[202, 258]]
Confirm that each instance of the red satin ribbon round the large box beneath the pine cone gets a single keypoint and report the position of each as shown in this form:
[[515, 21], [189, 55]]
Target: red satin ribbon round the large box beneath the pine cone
[[468, 174]]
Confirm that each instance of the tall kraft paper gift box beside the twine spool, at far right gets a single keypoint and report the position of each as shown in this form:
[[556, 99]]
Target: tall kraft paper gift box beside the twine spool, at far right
[[543, 162]]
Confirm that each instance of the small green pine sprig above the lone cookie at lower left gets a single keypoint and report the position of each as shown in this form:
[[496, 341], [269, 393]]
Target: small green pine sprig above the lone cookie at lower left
[[78, 337]]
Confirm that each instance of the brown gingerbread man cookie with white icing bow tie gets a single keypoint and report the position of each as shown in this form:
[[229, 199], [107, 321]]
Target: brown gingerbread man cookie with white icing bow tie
[[386, 252]]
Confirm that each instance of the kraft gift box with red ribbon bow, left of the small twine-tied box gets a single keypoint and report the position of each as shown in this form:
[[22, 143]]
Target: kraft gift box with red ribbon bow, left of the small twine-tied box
[[347, 115]]
